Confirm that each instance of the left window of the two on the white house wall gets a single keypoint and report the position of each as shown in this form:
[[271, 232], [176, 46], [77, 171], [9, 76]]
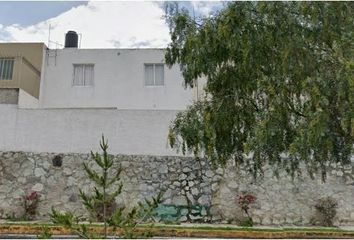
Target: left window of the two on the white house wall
[[83, 75]]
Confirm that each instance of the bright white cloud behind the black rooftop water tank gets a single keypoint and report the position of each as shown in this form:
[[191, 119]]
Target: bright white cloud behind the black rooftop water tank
[[103, 25]]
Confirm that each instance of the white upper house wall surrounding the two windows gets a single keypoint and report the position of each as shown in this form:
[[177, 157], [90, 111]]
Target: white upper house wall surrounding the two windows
[[118, 81]]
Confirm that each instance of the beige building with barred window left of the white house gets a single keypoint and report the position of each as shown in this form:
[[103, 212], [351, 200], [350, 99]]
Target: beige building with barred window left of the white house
[[20, 70]]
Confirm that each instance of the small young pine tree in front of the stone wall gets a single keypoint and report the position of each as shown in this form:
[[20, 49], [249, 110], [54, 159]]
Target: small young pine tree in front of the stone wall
[[107, 188]]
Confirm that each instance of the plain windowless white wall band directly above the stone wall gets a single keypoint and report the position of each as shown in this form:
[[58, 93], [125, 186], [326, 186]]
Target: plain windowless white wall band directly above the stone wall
[[79, 130]]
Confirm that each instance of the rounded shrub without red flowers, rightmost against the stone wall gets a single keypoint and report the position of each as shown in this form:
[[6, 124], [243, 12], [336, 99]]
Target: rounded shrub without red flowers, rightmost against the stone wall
[[326, 210]]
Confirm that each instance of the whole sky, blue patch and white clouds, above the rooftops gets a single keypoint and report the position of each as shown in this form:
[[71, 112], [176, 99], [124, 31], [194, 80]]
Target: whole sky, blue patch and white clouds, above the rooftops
[[102, 24]]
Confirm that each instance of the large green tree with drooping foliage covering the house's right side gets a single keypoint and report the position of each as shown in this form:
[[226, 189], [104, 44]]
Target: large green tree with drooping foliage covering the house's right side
[[279, 84]]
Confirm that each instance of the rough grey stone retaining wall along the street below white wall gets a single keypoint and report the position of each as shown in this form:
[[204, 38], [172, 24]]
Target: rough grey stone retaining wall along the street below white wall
[[193, 190]]
